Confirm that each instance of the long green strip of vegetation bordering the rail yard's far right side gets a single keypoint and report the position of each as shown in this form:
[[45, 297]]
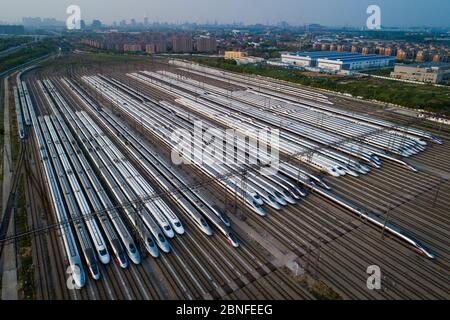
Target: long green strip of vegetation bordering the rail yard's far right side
[[414, 96]]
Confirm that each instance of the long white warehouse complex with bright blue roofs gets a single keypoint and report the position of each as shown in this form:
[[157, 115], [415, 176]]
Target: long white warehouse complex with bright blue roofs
[[337, 61]]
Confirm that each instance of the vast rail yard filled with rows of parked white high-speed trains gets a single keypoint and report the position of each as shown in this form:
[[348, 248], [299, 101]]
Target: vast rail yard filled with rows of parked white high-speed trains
[[112, 216]]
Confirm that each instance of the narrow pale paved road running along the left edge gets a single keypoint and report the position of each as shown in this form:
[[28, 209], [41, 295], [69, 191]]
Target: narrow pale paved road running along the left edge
[[9, 276]]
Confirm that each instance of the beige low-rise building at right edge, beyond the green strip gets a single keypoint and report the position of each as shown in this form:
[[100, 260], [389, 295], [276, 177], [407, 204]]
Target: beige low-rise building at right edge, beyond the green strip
[[431, 72]]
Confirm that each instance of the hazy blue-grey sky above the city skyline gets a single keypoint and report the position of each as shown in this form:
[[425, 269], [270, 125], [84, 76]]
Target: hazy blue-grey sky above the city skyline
[[327, 12]]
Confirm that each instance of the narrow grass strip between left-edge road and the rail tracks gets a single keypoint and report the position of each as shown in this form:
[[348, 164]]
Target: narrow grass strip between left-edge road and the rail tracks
[[25, 266]]
